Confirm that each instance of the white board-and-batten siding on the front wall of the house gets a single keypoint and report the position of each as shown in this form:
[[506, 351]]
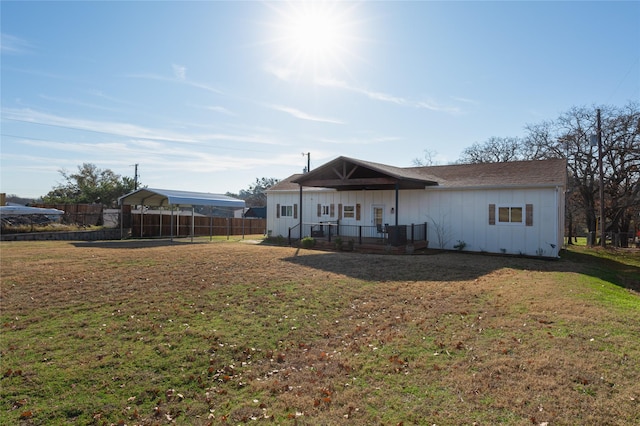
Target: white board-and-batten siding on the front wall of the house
[[452, 216]]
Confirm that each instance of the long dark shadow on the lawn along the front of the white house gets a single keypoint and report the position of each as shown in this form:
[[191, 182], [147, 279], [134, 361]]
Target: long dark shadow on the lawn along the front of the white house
[[455, 266]]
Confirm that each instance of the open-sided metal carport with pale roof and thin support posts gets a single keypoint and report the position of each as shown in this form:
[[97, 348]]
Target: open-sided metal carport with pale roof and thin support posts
[[173, 199]]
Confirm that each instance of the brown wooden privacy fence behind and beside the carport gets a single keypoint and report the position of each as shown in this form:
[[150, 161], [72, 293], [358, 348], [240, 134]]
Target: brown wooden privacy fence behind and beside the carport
[[156, 225]]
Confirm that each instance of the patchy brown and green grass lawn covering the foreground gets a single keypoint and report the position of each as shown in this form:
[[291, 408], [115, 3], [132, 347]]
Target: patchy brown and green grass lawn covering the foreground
[[229, 332]]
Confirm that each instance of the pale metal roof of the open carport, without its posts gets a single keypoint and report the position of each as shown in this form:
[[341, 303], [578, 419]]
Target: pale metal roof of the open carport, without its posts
[[167, 197]]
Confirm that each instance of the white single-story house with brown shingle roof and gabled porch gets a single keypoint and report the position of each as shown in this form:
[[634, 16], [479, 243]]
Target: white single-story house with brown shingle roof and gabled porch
[[511, 208]]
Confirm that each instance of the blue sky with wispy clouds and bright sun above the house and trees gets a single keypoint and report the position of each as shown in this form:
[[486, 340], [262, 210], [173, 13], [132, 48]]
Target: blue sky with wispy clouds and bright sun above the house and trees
[[208, 96]]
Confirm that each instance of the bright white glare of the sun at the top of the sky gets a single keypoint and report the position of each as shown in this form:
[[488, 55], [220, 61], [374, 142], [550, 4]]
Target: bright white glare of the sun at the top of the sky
[[315, 36]]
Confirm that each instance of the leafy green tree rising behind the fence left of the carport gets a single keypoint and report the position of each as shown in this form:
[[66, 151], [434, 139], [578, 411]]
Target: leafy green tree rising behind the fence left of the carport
[[90, 185]]
